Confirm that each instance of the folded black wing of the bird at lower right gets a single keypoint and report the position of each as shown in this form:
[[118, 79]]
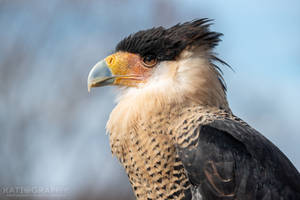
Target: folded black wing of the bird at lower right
[[227, 160]]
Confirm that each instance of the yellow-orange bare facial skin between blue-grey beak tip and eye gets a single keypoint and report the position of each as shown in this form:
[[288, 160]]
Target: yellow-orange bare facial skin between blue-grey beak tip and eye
[[128, 68]]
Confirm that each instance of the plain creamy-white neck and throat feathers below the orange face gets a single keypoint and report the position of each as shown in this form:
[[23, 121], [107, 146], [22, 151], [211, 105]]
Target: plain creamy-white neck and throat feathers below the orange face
[[190, 80]]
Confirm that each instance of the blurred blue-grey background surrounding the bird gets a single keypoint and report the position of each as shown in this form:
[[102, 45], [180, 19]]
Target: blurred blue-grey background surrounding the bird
[[52, 131]]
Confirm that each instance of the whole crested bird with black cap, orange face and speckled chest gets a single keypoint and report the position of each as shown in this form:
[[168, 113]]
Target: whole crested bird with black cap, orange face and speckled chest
[[172, 128]]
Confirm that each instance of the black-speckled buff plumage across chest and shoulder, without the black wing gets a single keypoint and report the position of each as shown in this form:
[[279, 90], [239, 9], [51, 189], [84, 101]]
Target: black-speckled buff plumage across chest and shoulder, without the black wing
[[149, 155]]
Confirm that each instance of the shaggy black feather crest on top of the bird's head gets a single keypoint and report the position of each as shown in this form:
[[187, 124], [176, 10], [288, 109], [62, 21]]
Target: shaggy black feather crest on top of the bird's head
[[166, 44]]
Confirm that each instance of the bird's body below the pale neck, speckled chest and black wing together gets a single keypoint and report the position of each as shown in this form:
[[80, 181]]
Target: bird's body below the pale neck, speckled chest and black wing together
[[170, 156]]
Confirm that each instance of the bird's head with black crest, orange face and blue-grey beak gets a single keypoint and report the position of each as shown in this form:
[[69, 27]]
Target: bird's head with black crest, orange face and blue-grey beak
[[178, 59]]
